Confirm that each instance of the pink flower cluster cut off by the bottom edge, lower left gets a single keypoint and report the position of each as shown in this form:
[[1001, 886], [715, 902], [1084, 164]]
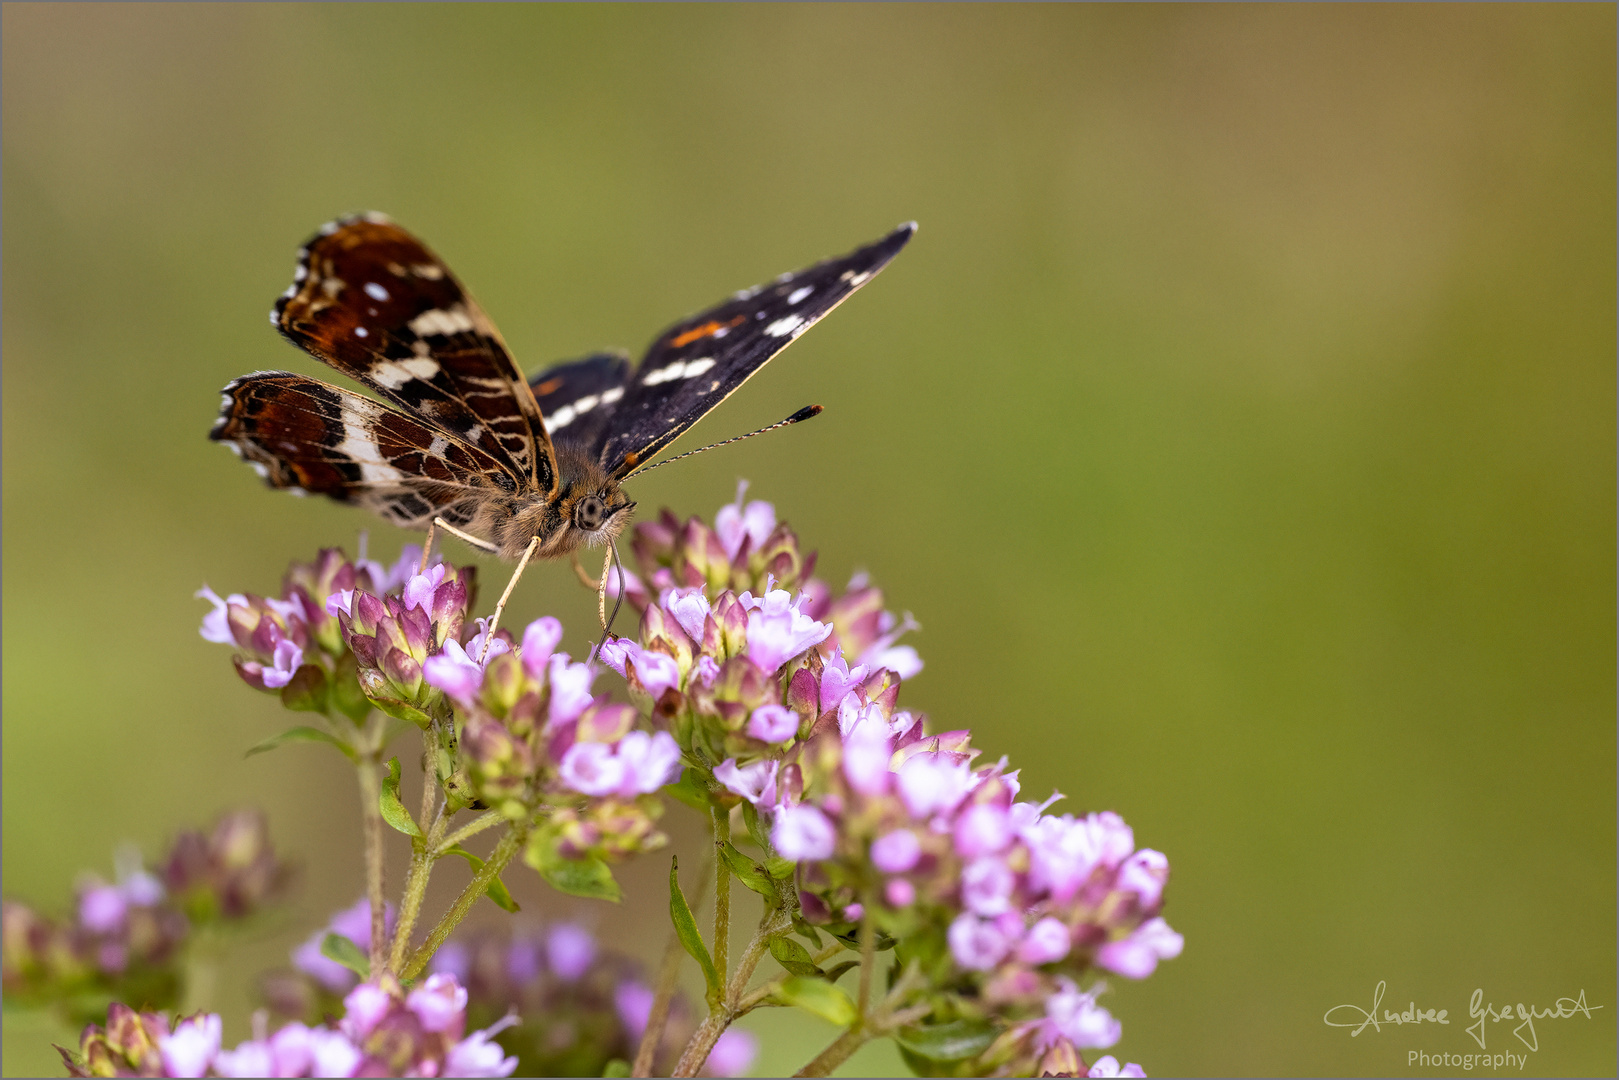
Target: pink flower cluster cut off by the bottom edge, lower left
[[385, 1032]]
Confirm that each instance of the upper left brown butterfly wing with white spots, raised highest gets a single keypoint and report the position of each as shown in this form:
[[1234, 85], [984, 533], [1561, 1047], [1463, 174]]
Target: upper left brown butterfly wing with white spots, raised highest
[[373, 302]]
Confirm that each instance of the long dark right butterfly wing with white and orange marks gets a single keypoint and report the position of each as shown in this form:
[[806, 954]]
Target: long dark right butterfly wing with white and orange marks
[[699, 364]]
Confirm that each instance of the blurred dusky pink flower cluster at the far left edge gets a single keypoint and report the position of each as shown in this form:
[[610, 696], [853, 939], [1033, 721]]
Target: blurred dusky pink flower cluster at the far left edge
[[127, 938]]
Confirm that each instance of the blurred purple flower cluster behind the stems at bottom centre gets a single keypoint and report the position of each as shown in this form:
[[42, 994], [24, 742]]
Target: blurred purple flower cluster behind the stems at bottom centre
[[584, 1006]]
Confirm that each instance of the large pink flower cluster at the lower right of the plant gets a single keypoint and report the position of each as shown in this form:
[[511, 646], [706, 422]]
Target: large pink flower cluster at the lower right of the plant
[[1000, 904]]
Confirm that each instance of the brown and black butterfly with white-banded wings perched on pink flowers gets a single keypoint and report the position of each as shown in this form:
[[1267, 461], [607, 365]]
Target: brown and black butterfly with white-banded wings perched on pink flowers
[[519, 467]]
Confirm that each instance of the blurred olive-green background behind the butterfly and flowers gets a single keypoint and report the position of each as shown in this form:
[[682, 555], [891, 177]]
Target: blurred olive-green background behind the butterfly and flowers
[[1241, 430]]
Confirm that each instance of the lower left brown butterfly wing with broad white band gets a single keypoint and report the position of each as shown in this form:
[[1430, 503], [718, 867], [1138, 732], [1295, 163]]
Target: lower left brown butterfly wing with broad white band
[[308, 436]]
